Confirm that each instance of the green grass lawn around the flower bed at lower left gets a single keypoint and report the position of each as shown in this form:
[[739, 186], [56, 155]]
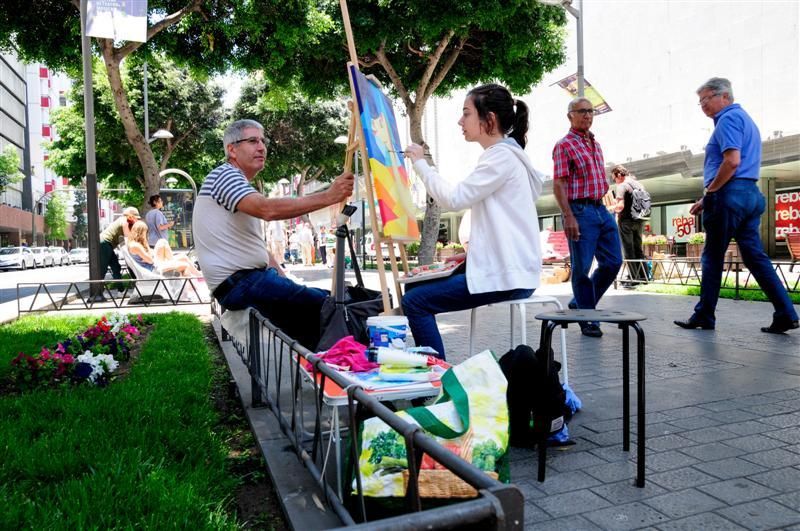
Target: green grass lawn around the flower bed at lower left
[[157, 449]]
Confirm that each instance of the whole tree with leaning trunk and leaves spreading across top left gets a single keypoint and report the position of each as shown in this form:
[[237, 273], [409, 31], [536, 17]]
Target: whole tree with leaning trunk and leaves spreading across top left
[[205, 35]]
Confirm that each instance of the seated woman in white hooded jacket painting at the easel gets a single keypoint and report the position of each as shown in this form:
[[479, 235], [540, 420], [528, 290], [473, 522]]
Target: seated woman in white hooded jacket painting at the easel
[[503, 257]]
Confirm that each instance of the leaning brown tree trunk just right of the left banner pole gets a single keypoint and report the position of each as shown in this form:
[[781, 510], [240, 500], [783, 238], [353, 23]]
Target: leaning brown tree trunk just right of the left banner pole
[[133, 134]]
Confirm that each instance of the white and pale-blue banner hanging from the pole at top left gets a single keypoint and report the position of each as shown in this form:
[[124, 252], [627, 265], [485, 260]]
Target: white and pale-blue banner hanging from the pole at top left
[[121, 20]]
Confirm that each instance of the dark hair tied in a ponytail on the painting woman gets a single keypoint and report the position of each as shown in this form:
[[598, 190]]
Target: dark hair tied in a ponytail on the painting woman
[[493, 98]]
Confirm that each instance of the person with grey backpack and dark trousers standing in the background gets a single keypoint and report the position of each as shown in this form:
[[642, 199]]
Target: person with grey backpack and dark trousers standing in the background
[[630, 219]]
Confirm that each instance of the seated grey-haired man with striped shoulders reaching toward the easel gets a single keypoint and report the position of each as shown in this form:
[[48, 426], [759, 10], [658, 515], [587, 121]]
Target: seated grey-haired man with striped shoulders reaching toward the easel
[[229, 238]]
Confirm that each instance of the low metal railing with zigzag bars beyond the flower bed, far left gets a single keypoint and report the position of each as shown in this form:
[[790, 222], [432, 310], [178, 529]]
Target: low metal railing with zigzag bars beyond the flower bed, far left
[[114, 294]]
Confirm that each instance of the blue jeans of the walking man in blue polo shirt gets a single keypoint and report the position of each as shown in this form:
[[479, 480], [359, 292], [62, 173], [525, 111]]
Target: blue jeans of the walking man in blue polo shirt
[[735, 211]]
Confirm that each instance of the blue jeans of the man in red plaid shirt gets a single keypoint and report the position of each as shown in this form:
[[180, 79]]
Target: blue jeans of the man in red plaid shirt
[[599, 239]]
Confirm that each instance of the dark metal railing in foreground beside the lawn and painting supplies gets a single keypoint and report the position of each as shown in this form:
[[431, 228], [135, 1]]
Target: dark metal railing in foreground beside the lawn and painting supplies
[[277, 382]]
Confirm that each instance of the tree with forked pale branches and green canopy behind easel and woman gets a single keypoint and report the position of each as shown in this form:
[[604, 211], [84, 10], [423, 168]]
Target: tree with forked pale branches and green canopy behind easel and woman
[[422, 48]]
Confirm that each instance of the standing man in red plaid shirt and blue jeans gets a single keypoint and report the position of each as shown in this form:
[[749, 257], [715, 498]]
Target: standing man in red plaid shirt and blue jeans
[[579, 184]]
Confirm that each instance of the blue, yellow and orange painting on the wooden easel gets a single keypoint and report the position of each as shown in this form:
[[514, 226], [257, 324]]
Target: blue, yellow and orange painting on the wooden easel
[[389, 176]]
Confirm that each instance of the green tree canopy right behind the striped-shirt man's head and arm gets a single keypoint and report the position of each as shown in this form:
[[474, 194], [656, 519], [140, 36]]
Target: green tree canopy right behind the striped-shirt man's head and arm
[[302, 131]]
